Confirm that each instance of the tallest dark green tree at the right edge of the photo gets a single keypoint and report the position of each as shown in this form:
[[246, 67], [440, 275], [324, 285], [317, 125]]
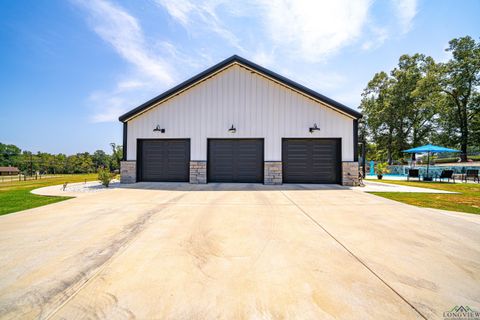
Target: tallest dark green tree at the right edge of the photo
[[459, 81]]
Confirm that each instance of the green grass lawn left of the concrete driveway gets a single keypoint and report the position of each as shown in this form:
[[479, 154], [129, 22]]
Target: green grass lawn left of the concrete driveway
[[16, 196]]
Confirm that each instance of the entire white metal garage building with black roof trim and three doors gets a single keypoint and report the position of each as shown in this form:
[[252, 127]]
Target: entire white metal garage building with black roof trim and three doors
[[239, 122]]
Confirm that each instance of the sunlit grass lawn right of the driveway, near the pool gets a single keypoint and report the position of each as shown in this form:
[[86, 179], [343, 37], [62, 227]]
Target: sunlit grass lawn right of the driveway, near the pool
[[467, 199]]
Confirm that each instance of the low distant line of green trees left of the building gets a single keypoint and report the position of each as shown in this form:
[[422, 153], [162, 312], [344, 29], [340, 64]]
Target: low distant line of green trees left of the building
[[46, 163]]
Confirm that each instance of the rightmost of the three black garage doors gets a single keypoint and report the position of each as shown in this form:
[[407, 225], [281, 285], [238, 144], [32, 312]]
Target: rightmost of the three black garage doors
[[311, 160]]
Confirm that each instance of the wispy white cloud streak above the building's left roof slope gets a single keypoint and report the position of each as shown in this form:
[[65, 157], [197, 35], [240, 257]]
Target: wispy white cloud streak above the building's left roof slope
[[150, 70]]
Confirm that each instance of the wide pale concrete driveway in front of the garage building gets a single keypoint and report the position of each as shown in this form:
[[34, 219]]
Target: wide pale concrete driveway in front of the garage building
[[233, 251]]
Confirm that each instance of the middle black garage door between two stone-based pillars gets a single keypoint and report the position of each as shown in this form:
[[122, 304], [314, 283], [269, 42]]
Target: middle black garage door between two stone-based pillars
[[235, 160]]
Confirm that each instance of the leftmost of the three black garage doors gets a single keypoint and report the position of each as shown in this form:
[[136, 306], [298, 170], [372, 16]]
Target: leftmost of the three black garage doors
[[164, 160]]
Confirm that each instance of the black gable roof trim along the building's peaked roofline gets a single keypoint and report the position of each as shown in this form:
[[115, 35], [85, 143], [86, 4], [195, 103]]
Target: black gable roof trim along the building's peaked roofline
[[251, 65]]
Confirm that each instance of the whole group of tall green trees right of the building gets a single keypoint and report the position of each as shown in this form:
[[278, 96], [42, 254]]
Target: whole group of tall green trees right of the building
[[421, 101]]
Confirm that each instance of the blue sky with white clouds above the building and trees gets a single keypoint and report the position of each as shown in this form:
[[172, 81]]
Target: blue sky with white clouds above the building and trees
[[68, 69]]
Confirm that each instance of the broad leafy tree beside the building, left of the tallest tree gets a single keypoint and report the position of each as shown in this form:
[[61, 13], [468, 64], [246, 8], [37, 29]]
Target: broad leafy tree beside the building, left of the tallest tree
[[398, 111]]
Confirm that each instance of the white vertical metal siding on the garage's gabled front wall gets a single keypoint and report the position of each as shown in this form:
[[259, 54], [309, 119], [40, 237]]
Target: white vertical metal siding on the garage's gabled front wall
[[255, 105]]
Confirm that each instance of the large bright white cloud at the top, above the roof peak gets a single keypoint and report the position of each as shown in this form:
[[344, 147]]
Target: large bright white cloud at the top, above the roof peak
[[310, 29]]
